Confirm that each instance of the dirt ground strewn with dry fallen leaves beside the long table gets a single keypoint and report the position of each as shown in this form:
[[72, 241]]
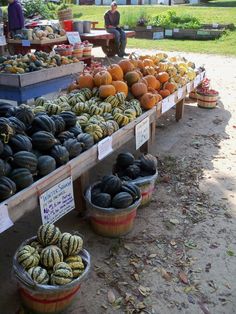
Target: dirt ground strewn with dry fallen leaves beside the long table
[[181, 255]]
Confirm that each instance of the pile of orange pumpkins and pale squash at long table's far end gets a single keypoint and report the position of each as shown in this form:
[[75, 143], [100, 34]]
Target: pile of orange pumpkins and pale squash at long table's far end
[[146, 78]]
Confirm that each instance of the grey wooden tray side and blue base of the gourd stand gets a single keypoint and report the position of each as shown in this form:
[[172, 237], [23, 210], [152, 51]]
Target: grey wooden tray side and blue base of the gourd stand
[[21, 87]]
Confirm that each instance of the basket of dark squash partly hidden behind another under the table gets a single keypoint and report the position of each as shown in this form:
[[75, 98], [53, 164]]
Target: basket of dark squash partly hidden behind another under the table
[[147, 187]]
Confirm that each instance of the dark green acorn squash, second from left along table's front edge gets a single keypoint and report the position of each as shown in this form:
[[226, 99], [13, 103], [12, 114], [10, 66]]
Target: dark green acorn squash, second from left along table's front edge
[[22, 178]]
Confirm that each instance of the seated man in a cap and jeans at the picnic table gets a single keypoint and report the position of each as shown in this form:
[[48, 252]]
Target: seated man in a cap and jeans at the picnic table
[[112, 21]]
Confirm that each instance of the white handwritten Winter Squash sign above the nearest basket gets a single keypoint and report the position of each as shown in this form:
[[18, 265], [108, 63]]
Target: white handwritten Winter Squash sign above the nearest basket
[[57, 201]]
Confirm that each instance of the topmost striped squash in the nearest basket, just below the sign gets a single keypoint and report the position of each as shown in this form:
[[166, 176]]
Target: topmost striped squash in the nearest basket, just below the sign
[[48, 234]]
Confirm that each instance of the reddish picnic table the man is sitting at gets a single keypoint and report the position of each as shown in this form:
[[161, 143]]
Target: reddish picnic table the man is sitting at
[[101, 38]]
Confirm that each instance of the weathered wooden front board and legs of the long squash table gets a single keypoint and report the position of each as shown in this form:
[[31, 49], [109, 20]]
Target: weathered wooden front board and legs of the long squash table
[[28, 199]]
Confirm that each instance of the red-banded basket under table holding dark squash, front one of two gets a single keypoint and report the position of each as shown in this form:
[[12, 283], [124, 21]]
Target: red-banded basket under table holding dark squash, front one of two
[[111, 222]]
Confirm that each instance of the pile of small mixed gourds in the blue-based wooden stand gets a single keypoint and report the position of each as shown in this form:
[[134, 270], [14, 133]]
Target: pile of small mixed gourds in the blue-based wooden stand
[[30, 62]]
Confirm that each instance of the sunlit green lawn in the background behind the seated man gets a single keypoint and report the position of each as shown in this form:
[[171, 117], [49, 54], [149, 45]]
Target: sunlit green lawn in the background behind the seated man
[[214, 12]]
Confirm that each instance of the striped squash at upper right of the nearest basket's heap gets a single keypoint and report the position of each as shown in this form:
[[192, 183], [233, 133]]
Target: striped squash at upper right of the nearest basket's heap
[[70, 244]]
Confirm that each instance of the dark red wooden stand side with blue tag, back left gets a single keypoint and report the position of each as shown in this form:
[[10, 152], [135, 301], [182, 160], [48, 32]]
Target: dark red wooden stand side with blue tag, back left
[[24, 46]]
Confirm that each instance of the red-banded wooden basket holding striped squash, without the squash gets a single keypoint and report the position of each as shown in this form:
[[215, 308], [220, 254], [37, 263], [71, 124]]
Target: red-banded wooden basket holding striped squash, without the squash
[[45, 299]]
